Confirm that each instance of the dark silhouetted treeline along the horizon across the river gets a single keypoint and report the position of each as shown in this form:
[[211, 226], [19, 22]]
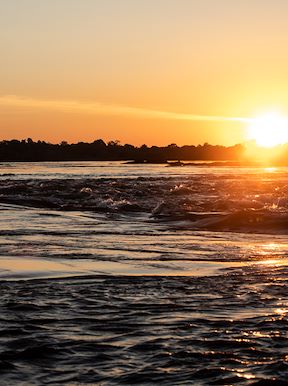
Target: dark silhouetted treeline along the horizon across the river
[[29, 150]]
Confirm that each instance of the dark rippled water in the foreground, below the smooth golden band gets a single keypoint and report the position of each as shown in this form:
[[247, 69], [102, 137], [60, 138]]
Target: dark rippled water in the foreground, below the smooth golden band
[[226, 330]]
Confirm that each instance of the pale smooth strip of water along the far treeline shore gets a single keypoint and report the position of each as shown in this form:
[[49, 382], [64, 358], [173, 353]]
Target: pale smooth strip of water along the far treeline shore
[[118, 169]]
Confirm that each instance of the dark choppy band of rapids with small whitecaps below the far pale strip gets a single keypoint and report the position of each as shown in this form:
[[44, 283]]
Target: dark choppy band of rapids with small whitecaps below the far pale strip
[[218, 203]]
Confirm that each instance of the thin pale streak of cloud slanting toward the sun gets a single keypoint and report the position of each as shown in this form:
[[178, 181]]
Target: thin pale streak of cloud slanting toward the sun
[[96, 108]]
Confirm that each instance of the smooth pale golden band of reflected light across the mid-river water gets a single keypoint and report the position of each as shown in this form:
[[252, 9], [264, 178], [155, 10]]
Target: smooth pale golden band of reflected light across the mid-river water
[[26, 268]]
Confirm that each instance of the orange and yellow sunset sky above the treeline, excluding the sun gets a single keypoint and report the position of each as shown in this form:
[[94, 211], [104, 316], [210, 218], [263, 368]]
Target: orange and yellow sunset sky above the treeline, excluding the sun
[[140, 71]]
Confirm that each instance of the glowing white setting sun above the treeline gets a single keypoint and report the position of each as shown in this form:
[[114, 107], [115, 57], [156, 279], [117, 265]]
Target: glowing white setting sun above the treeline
[[268, 130]]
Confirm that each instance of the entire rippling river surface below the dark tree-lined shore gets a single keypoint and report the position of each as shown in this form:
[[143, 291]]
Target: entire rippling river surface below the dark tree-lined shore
[[143, 274]]
